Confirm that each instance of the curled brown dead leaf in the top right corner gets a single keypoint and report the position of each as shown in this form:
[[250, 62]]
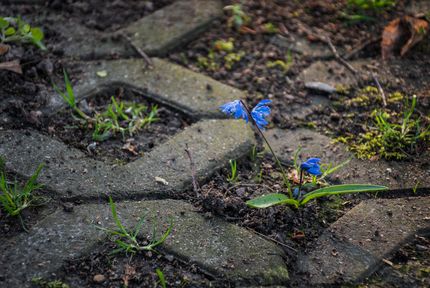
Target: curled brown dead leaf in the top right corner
[[401, 34]]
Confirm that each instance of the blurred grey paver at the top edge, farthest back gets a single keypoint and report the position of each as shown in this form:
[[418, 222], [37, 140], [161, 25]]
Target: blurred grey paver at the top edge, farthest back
[[171, 26]]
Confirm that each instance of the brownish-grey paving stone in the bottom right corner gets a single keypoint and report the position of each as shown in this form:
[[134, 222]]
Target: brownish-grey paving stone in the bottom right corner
[[355, 245]]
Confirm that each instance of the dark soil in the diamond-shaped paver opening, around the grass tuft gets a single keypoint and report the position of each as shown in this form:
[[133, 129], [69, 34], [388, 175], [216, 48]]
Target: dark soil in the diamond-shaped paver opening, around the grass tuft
[[117, 148]]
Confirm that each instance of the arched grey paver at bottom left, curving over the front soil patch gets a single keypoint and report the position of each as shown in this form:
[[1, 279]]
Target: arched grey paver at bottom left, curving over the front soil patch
[[213, 244]]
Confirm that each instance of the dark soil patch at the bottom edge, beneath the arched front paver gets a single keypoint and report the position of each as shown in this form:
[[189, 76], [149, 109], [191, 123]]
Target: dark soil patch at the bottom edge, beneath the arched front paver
[[133, 271]]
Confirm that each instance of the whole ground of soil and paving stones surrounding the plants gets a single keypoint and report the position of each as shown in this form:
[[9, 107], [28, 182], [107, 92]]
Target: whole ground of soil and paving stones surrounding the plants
[[332, 96]]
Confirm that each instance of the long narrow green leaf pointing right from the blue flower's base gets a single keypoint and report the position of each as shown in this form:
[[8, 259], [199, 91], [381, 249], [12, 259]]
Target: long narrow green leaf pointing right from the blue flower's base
[[341, 189]]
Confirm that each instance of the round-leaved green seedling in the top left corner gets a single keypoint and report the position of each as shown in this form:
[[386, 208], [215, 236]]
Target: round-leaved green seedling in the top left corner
[[17, 31]]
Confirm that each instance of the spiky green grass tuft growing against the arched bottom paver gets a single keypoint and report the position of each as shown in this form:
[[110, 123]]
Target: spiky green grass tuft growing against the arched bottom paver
[[127, 240]]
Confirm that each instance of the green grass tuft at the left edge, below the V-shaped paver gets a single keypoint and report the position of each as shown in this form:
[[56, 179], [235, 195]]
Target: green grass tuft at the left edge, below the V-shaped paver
[[14, 198]]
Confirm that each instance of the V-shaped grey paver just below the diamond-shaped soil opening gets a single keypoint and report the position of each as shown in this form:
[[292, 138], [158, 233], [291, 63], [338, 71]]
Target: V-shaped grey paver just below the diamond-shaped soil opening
[[70, 174]]
